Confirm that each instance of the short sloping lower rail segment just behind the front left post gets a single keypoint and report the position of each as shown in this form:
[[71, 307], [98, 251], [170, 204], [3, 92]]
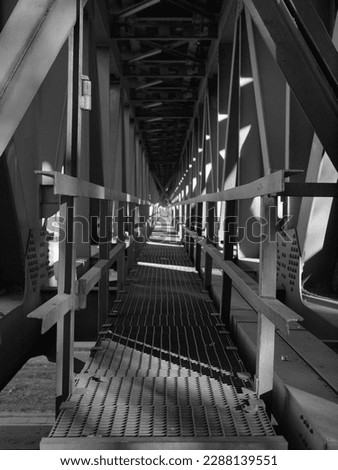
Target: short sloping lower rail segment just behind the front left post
[[86, 282]]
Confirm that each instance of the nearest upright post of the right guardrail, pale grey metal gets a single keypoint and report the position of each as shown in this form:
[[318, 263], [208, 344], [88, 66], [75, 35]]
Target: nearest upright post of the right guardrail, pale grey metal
[[267, 288]]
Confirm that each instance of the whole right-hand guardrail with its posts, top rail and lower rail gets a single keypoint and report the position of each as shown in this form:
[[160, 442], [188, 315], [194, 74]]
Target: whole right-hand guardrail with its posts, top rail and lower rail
[[261, 295]]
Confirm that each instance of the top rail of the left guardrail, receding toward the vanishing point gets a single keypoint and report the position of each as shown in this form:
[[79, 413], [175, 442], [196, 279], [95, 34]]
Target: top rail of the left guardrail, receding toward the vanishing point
[[66, 185]]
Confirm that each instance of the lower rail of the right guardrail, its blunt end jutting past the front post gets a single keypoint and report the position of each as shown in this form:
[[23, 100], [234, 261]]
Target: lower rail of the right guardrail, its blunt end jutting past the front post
[[279, 314]]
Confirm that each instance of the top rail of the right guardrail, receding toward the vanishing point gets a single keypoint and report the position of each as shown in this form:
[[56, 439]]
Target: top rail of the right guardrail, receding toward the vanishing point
[[271, 184]]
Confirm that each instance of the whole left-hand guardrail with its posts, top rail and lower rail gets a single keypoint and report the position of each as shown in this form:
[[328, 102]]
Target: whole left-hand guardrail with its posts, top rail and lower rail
[[72, 293]]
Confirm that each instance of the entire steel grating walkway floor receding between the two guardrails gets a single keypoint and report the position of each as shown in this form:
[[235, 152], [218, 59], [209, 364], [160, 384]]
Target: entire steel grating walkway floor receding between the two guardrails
[[164, 372]]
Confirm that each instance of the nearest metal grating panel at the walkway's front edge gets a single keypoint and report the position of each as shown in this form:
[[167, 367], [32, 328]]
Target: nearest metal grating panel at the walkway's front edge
[[161, 421]]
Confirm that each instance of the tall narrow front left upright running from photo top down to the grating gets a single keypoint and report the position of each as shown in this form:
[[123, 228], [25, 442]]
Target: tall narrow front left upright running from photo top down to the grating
[[66, 282]]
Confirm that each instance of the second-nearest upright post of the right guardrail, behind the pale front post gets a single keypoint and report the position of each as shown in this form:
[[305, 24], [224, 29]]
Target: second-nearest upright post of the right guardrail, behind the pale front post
[[228, 249]]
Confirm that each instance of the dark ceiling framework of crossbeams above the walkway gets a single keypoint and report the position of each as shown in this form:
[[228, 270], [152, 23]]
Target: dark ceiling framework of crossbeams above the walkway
[[164, 46]]
